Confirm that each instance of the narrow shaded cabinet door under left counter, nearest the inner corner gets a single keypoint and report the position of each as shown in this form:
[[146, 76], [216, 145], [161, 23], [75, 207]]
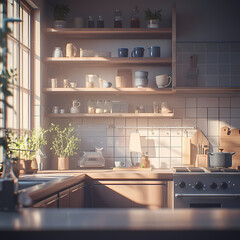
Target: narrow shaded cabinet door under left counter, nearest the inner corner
[[77, 196]]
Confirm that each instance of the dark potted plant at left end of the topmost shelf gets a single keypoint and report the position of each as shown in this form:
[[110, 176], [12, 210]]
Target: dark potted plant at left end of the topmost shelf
[[60, 13]]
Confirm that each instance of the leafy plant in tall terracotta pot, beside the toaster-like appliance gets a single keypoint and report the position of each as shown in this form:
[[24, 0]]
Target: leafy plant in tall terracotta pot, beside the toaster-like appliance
[[65, 144]]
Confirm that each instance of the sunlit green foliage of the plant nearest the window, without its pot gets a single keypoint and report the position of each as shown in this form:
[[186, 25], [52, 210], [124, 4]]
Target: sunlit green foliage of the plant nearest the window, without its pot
[[30, 141]]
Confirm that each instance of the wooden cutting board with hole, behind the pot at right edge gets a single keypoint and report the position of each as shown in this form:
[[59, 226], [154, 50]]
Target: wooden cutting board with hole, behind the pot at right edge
[[230, 142]]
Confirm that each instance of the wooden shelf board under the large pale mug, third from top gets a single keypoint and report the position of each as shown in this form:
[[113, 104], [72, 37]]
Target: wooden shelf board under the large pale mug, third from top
[[115, 91]]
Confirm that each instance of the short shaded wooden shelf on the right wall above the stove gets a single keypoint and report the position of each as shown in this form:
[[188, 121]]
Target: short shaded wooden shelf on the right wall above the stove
[[207, 90]]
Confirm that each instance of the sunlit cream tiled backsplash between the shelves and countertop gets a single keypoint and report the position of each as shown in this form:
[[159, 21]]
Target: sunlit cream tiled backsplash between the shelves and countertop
[[164, 144]]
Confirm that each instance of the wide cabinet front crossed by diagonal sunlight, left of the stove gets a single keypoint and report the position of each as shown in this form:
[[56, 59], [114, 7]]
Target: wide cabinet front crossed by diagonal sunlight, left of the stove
[[130, 195]]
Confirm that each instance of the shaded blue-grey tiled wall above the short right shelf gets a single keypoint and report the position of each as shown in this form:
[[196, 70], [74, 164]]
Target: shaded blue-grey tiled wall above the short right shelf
[[218, 64]]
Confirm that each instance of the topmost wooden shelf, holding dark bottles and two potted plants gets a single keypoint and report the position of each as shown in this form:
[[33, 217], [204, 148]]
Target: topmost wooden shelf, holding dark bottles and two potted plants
[[112, 33]]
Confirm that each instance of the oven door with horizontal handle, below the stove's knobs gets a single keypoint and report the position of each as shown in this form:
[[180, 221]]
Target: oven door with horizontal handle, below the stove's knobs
[[206, 200]]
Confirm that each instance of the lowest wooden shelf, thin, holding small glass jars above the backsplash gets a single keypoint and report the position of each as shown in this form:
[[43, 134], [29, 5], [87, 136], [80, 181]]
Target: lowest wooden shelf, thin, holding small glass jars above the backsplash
[[111, 115]]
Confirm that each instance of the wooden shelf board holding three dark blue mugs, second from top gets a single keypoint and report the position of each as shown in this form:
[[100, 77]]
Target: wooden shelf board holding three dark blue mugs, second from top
[[113, 60]]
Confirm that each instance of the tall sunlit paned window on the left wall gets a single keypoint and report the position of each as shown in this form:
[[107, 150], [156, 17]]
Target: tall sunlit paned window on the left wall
[[19, 59]]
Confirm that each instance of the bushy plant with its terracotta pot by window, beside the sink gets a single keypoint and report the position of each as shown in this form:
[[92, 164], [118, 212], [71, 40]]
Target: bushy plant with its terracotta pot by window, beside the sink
[[27, 147]]
